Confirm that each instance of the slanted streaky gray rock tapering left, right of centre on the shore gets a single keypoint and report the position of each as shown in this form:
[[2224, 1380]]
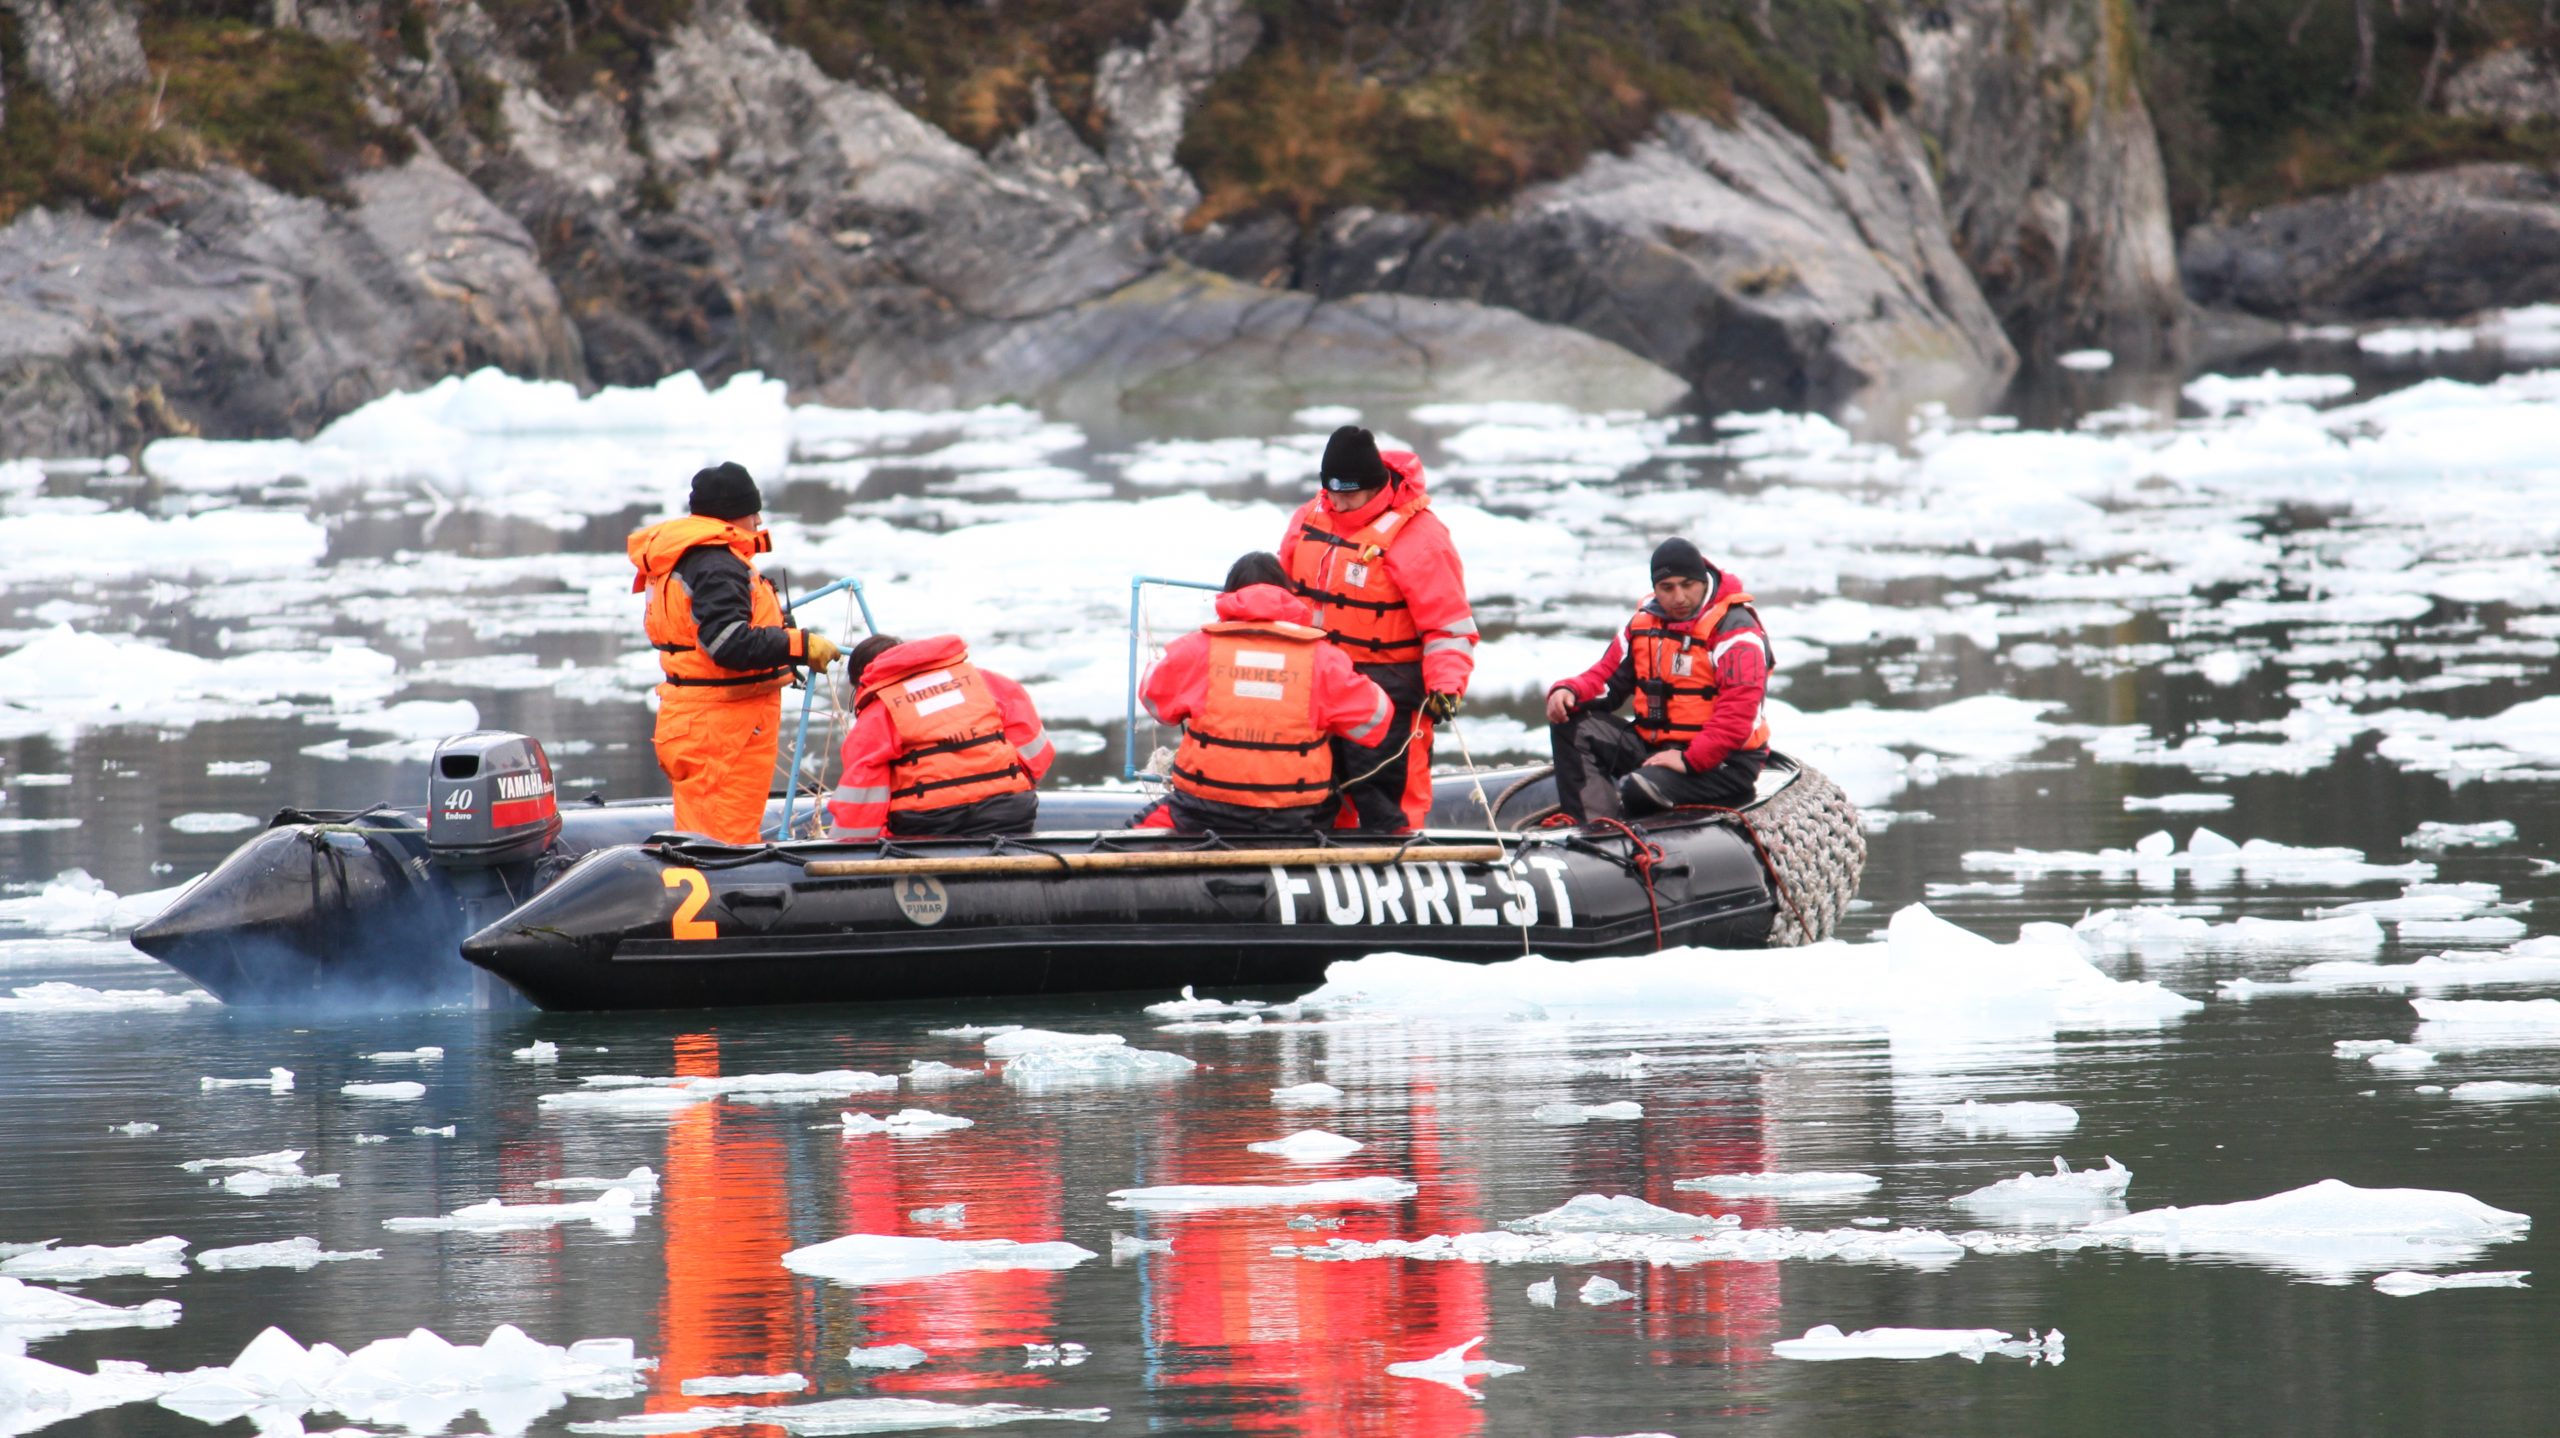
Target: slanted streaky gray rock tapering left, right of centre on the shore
[[1742, 260]]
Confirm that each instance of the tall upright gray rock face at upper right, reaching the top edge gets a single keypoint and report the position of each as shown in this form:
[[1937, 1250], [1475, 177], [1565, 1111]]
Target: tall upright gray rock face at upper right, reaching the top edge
[[2054, 186]]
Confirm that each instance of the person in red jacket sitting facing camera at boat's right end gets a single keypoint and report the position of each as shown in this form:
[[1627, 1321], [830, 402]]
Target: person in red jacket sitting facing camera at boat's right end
[[1696, 661]]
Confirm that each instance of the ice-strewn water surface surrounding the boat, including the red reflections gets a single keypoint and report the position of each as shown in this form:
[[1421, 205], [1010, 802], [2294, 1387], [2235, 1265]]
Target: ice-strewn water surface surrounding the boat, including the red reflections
[[2190, 1066]]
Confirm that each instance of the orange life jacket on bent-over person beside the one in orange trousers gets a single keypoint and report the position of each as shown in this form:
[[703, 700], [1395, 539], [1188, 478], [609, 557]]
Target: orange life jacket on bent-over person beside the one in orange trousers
[[951, 733]]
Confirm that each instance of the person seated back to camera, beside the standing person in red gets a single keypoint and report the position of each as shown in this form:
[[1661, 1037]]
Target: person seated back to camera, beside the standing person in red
[[1261, 697]]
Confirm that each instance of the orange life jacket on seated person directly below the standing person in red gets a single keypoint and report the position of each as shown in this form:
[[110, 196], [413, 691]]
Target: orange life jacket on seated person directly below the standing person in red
[[1256, 738]]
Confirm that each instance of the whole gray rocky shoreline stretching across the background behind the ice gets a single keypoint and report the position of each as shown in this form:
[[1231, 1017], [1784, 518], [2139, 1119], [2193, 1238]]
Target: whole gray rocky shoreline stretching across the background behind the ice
[[744, 211]]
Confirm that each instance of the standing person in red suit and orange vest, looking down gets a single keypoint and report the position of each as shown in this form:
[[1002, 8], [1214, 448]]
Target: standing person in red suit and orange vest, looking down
[[1389, 590]]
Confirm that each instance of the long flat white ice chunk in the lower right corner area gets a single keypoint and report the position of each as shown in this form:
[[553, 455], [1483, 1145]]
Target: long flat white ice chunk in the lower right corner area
[[2326, 1229]]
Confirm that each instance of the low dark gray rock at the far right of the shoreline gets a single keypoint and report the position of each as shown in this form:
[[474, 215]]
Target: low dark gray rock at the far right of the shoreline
[[2449, 242]]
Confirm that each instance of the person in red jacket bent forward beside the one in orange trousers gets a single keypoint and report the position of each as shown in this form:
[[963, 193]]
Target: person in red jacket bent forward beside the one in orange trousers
[[938, 746]]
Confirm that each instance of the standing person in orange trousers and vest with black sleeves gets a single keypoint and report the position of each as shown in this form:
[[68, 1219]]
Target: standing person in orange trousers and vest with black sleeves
[[726, 651]]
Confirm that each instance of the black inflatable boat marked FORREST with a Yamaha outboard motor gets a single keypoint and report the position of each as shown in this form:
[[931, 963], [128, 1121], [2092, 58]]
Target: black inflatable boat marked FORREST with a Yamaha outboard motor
[[500, 897]]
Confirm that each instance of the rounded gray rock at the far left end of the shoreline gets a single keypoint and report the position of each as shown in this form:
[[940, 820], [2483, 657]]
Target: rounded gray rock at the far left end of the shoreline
[[219, 306]]
